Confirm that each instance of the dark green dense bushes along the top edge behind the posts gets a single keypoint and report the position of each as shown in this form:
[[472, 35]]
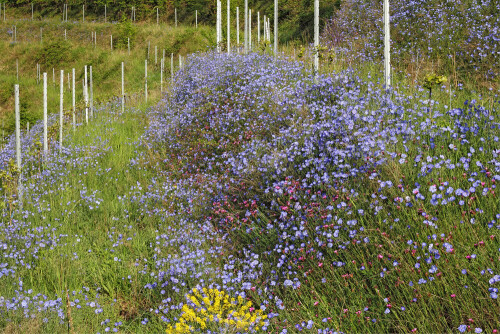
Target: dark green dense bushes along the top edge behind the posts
[[295, 16]]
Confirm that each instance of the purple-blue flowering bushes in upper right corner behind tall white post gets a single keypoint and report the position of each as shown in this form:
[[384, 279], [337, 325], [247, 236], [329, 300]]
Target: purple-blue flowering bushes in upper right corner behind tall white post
[[463, 34]]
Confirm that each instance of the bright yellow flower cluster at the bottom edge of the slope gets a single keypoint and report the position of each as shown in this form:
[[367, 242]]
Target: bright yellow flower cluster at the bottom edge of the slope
[[214, 308]]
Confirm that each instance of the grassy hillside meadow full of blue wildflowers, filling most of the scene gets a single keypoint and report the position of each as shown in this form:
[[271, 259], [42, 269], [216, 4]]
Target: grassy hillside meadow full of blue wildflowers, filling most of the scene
[[251, 196]]
